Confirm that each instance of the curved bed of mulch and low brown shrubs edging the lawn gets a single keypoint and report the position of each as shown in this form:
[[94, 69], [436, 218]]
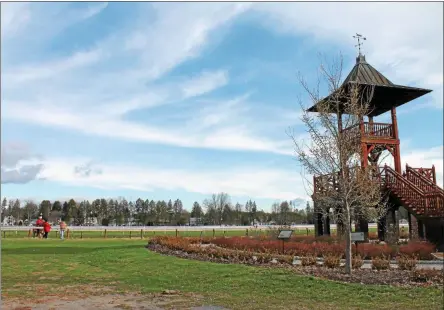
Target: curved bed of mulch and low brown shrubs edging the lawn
[[381, 273]]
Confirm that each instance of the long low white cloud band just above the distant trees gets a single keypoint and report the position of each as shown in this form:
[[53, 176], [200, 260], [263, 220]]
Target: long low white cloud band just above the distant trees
[[246, 181]]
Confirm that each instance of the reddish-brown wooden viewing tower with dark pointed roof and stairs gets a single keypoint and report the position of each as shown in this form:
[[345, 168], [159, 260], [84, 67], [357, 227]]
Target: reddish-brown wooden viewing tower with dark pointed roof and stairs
[[415, 189]]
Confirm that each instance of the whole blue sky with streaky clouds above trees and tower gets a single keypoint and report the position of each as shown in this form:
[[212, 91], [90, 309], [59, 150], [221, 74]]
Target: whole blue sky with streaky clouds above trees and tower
[[182, 100]]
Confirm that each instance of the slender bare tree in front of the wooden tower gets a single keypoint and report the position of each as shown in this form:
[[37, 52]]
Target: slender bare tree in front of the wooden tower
[[344, 185]]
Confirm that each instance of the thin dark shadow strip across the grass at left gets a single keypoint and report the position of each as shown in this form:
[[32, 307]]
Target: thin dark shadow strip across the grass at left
[[60, 250]]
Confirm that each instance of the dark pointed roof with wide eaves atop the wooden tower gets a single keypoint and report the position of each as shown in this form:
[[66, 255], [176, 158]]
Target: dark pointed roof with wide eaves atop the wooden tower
[[386, 94]]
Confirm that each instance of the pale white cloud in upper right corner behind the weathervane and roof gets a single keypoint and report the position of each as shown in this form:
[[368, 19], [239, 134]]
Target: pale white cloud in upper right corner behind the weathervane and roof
[[404, 40]]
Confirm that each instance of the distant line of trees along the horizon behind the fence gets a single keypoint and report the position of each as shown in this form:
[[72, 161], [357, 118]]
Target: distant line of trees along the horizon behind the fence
[[216, 210]]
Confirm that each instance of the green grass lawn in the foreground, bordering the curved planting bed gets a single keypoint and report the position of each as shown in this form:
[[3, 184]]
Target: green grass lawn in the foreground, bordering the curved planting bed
[[125, 265]]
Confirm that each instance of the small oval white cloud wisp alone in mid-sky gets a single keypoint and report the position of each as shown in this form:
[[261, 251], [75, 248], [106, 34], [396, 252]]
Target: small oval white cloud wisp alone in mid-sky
[[204, 83]]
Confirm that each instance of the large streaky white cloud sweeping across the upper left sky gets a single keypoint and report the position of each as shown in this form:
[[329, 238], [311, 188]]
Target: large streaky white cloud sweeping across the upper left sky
[[69, 93]]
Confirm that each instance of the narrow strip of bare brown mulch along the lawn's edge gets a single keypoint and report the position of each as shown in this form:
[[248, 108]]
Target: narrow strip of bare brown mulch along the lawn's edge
[[393, 277]]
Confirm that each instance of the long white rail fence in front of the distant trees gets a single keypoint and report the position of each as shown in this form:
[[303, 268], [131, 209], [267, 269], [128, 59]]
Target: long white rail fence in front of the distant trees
[[172, 228]]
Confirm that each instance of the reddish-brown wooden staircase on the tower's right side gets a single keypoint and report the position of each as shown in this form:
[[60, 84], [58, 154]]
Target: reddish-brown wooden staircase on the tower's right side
[[418, 194]]
